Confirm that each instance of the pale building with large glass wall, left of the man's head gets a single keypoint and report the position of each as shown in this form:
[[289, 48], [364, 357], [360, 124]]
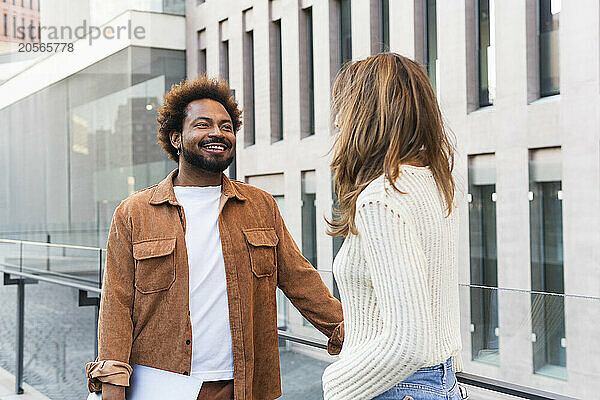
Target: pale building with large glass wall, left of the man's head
[[80, 124]]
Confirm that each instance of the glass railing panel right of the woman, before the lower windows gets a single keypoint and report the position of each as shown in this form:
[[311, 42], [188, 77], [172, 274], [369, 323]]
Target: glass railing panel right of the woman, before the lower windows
[[535, 340]]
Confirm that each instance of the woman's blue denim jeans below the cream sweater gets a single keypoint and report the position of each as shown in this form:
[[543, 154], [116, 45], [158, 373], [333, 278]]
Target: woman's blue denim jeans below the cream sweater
[[430, 383]]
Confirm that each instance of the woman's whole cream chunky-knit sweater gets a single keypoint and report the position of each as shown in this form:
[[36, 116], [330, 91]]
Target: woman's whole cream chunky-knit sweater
[[399, 288]]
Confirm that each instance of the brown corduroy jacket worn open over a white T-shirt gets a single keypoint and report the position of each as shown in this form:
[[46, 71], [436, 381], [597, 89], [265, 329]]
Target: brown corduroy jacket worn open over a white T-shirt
[[144, 309]]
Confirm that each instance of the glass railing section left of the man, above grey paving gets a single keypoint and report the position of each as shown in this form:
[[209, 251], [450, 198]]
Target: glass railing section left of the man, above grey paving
[[47, 342]]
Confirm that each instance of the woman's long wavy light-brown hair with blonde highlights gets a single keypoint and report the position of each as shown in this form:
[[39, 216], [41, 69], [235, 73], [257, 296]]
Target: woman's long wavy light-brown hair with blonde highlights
[[387, 115]]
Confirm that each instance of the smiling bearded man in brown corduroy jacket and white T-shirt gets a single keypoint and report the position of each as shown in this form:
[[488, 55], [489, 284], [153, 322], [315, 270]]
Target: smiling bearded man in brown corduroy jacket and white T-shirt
[[193, 264]]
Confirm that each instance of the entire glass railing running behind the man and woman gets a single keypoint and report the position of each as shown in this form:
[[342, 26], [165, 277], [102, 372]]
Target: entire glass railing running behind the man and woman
[[515, 342]]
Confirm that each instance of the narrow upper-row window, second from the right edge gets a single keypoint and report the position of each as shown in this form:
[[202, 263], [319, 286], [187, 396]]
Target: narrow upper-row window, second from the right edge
[[487, 52]]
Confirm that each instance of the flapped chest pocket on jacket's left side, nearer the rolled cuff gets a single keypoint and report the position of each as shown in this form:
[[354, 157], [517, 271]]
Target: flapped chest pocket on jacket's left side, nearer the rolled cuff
[[154, 265]]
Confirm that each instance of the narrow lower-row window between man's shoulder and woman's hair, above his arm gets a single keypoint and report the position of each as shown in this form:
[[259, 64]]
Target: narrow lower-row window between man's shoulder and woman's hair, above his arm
[[309, 216]]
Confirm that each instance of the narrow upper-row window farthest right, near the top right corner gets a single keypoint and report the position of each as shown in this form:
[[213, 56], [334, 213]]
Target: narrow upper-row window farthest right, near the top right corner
[[548, 44]]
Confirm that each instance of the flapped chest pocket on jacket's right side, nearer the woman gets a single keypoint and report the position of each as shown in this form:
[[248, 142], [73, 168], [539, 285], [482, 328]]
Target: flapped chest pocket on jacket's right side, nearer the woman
[[262, 246]]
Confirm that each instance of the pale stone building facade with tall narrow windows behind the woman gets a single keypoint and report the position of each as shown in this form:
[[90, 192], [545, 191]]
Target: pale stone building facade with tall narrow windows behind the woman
[[518, 84]]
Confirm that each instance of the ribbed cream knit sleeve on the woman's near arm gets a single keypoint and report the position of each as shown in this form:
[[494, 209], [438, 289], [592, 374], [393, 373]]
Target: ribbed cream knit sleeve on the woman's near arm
[[399, 306]]
